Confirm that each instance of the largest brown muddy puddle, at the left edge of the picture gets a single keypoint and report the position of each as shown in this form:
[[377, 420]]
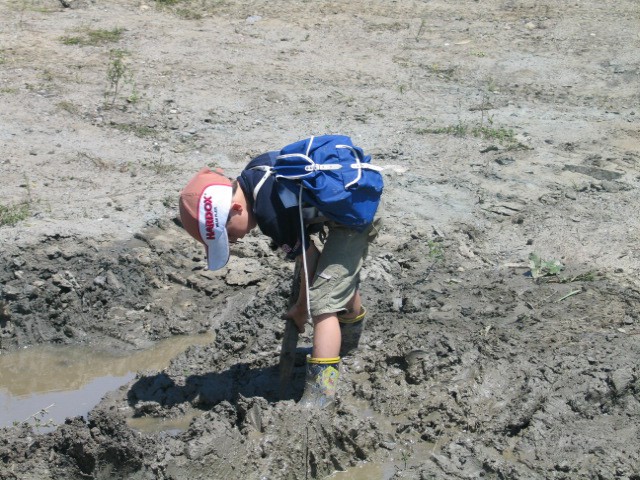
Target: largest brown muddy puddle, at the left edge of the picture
[[46, 384]]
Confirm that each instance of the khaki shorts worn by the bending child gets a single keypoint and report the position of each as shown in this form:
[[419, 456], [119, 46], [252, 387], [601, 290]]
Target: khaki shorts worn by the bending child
[[338, 271]]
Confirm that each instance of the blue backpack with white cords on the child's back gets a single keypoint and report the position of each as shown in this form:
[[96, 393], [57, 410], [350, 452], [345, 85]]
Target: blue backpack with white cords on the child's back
[[331, 174]]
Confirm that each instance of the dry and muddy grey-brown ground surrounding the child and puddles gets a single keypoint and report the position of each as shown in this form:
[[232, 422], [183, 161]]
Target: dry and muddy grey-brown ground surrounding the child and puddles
[[514, 128]]
